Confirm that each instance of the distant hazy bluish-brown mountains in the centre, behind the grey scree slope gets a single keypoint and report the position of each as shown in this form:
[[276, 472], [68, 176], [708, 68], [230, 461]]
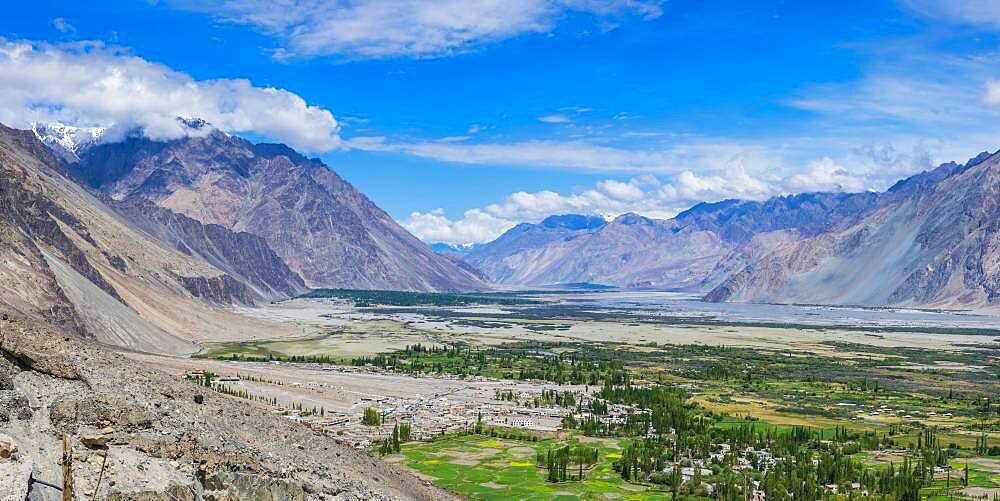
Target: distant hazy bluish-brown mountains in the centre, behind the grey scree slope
[[692, 251]]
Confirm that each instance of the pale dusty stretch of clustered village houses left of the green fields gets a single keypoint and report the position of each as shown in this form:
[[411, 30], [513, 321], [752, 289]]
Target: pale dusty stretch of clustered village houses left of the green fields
[[333, 399]]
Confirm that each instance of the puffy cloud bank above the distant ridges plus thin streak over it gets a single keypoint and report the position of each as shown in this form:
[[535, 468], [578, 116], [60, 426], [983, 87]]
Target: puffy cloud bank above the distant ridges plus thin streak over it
[[666, 179]]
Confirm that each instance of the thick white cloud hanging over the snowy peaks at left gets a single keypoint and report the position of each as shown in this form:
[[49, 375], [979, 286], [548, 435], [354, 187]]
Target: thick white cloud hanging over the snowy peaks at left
[[87, 83]]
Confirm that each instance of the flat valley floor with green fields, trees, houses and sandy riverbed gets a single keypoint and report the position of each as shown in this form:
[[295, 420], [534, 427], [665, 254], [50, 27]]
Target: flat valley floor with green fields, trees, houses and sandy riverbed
[[481, 387]]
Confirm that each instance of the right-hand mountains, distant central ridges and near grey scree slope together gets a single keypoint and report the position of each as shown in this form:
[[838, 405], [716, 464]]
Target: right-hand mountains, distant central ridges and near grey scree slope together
[[929, 240]]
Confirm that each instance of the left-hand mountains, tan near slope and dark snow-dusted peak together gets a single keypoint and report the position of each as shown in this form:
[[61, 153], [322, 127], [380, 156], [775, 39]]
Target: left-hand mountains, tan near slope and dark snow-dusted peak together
[[146, 244]]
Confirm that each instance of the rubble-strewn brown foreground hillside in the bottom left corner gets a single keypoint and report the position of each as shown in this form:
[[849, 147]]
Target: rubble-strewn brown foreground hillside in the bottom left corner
[[164, 439]]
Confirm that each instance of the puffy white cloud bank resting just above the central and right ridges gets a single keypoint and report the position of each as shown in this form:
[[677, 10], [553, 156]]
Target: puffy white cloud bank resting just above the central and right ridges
[[664, 196]]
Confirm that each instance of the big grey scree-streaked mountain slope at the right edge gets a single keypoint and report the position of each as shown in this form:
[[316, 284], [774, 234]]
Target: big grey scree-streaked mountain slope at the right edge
[[935, 241]]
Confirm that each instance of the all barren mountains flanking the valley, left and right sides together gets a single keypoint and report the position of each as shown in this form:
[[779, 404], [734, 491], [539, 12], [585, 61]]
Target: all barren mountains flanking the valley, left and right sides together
[[124, 239]]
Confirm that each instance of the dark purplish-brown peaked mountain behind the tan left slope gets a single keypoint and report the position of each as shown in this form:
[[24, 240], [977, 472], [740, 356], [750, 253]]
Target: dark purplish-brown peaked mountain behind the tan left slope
[[320, 225]]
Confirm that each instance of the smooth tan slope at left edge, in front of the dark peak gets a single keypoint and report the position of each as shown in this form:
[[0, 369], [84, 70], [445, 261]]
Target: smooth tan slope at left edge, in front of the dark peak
[[69, 259]]
